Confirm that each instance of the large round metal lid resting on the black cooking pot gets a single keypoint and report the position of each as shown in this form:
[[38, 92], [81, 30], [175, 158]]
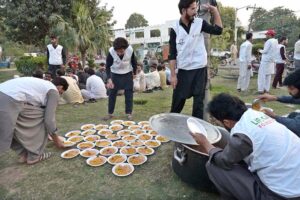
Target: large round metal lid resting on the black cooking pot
[[174, 126]]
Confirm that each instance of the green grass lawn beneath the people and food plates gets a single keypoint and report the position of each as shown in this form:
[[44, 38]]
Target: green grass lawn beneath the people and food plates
[[73, 179]]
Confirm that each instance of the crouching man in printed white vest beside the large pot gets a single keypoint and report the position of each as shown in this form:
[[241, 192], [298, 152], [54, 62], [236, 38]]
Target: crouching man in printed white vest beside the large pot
[[256, 163]]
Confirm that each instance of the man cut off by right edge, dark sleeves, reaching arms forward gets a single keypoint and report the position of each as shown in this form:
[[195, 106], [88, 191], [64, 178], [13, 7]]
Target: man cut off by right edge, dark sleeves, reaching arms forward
[[292, 121]]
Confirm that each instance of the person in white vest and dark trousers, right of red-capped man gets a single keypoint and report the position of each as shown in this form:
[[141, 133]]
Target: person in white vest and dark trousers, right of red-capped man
[[280, 61]]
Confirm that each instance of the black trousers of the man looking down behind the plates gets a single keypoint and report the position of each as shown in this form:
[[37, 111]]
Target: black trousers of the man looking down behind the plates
[[121, 82]]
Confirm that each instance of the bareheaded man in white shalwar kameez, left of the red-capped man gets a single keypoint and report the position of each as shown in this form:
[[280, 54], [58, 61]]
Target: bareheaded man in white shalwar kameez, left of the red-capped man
[[245, 63]]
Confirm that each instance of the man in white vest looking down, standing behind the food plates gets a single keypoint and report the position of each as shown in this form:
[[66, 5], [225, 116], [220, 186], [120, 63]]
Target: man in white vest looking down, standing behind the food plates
[[120, 68]]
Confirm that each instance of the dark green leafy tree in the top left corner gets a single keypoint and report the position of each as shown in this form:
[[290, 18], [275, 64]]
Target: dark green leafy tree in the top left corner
[[28, 21]]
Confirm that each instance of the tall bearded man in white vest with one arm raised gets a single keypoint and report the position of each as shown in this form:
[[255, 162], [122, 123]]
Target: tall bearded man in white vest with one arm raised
[[189, 56]]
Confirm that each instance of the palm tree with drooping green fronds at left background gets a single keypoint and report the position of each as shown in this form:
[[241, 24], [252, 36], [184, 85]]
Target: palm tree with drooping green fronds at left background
[[88, 29]]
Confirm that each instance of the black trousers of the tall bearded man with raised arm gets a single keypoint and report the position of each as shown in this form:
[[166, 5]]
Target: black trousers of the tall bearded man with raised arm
[[191, 83]]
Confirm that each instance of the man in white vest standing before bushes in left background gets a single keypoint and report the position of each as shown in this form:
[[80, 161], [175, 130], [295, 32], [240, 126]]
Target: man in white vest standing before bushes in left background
[[56, 56]]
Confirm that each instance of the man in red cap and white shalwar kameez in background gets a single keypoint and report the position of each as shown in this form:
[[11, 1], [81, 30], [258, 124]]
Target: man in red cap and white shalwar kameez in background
[[267, 65]]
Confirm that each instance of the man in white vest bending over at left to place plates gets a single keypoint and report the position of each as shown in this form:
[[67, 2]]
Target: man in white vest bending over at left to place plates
[[27, 116]]
